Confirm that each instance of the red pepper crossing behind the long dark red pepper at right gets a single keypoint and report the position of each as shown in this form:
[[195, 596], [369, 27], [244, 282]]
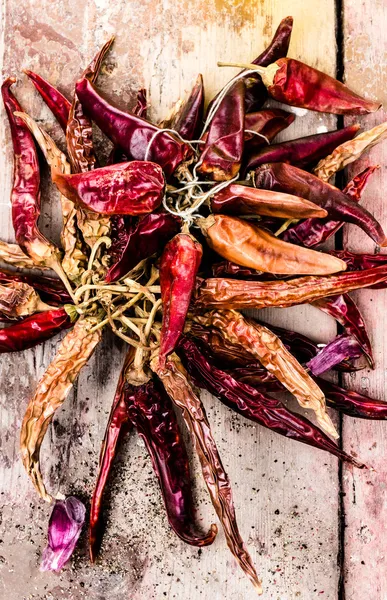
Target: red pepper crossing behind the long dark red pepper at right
[[316, 231]]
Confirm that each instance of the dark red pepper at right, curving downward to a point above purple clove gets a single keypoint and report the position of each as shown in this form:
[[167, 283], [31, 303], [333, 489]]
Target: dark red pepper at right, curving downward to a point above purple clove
[[344, 310]]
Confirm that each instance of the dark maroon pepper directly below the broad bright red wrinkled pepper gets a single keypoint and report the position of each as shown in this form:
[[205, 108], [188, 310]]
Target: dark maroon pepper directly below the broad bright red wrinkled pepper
[[146, 238]]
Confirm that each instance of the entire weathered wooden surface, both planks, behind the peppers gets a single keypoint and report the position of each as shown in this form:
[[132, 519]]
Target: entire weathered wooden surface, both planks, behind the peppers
[[289, 498]]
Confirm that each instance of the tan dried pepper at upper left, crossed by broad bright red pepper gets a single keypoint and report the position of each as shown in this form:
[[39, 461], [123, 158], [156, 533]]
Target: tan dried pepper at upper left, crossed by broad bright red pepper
[[74, 261]]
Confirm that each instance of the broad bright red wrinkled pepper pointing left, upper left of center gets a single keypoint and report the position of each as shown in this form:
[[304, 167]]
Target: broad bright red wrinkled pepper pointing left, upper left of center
[[131, 188]]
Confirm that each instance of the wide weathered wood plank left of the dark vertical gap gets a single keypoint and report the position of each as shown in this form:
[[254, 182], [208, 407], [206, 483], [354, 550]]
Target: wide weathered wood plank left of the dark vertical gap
[[285, 494]]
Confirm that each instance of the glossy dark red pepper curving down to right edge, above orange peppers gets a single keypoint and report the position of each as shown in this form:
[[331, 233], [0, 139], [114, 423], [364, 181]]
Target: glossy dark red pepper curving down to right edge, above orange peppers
[[282, 177]]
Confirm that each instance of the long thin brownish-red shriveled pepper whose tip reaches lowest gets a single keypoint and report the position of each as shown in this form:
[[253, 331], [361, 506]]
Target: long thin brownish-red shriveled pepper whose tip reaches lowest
[[174, 379]]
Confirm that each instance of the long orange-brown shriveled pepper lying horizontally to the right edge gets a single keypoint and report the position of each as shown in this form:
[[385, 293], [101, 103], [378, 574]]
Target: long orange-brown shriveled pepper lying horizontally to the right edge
[[237, 294]]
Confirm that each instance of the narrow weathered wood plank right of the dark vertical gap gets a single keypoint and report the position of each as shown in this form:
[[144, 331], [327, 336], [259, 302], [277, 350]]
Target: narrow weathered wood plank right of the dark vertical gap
[[365, 500]]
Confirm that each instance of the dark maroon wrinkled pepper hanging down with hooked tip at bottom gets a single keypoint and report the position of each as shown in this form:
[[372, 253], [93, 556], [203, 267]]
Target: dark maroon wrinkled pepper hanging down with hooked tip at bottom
[[150, 411]]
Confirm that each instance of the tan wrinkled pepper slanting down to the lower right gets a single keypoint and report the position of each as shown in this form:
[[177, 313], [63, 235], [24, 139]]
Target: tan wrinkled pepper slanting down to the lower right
[[273, 355]]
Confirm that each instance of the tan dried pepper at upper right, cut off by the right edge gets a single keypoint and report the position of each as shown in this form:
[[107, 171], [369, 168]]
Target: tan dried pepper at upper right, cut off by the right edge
[[350, 151]]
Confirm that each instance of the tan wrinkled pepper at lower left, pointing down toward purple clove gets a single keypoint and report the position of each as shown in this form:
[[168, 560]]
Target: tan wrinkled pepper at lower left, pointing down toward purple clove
[[74, 351]]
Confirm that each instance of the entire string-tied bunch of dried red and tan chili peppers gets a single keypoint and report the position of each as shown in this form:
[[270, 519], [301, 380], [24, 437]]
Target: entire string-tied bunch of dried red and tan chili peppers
[[188, 222]]
